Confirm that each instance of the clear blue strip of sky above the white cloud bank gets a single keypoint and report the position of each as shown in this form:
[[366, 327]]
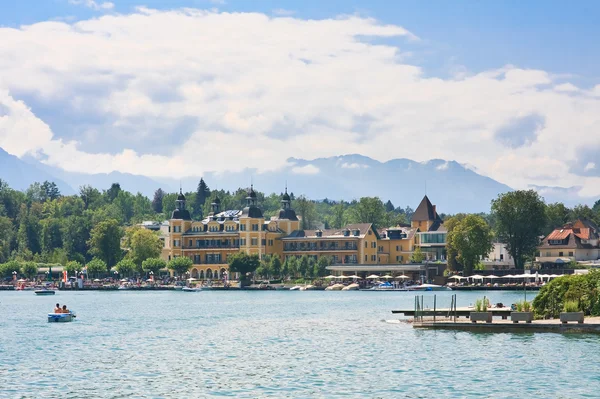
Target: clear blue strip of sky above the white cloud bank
[[557, 36]]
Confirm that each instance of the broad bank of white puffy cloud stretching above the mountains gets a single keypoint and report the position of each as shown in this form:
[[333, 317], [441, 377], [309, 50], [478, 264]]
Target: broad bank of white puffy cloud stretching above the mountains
[[182, 98]]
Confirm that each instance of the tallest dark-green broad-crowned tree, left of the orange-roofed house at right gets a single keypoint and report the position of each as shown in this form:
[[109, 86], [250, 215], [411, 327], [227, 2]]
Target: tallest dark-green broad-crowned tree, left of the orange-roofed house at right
[[520, 220]]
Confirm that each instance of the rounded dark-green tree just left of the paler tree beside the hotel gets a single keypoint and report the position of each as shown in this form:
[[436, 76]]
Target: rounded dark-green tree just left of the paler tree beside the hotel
[[105, 241]]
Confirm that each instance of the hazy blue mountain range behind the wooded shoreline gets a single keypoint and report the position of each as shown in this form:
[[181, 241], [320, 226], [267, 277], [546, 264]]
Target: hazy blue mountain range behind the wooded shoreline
[[452, 186]]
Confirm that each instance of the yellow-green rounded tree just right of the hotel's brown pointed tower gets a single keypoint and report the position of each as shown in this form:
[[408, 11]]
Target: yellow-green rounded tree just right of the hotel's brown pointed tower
[[470, 239]]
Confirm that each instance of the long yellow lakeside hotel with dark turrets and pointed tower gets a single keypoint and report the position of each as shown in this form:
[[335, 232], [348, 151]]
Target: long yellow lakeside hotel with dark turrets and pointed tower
[[209, 242]]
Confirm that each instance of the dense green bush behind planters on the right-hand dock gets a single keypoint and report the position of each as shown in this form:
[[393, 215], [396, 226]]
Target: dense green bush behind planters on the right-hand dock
[[583, 289]]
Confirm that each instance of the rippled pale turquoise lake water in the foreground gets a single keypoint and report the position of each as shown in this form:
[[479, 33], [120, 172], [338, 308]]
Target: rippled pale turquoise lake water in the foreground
[[275, 344]]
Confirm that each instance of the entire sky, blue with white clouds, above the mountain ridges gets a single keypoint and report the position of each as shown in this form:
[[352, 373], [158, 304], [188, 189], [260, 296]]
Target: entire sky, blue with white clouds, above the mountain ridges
[[179, 88]]
